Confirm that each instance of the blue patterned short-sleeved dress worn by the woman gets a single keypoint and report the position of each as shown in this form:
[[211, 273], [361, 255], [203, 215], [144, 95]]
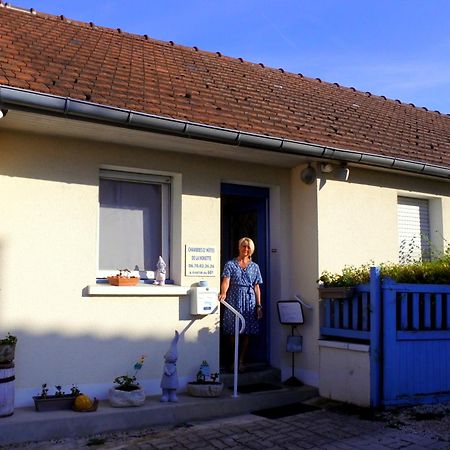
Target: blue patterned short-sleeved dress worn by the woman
[[241, 295]]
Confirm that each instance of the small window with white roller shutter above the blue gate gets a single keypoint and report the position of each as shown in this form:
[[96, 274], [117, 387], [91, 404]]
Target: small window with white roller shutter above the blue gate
[[413, 229]]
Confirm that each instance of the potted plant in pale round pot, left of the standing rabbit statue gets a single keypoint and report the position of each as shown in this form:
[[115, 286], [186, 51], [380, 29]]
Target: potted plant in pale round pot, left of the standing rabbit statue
[[127, 391]]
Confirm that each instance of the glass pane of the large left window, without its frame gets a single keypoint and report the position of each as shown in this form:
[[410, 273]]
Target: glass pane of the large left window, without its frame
[[130, 225]]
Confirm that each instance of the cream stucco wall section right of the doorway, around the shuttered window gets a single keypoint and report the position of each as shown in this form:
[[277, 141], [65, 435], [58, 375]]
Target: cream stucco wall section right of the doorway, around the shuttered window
[[336, 223]]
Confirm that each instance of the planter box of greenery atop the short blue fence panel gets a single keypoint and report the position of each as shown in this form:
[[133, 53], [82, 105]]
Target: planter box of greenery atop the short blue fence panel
[[341, 285]]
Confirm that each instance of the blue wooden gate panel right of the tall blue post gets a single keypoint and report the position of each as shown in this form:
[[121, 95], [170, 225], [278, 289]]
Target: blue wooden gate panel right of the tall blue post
[[416, 343]]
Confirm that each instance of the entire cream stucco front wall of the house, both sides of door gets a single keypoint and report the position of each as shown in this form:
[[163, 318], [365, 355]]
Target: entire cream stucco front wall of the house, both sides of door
[[48, 256]]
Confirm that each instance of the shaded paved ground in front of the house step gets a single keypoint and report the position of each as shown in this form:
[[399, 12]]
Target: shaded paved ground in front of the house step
[[334, 426]]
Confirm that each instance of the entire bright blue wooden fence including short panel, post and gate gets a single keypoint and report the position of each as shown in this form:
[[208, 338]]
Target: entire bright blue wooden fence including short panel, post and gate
[[408, 329]]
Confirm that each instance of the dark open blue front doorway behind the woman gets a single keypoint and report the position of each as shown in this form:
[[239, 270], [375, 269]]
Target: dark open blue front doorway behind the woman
[[244, 212]]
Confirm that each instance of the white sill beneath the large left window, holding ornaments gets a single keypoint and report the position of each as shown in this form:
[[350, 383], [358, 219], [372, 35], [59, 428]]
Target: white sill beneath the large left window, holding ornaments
[[141, 290]]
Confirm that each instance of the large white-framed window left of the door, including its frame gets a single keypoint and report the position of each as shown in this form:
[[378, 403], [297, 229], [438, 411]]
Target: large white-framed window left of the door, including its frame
[[134, 222]]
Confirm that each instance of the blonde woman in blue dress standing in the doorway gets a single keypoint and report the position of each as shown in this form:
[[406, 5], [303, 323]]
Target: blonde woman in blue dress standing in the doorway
[[241, 278]]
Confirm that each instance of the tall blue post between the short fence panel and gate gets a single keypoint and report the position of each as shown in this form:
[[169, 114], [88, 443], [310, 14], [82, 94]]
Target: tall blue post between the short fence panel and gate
[[375, 337]]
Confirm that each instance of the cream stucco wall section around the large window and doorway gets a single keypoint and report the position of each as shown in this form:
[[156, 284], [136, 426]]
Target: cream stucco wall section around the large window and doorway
[[48, 258]]
